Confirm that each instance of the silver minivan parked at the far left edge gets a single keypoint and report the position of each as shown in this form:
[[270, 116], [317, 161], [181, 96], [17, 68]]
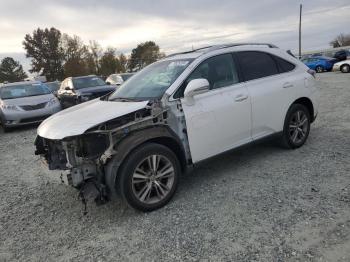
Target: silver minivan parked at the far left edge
[[25, 103]]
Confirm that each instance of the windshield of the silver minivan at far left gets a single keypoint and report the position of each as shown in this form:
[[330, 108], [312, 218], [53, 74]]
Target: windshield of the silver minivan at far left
[[23, 90]]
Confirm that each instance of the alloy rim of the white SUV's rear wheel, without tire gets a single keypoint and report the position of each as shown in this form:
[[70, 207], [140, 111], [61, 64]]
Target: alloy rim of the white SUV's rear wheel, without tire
[[298, 127]]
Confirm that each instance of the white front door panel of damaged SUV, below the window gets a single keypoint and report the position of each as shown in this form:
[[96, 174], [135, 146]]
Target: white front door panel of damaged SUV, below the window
[[219, 120]]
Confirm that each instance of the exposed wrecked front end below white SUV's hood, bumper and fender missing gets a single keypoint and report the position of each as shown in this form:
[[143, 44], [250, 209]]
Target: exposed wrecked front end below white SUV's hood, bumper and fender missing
[[85, 156]]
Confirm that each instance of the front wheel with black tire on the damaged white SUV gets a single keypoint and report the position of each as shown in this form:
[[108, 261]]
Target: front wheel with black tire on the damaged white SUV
[[127, 185]]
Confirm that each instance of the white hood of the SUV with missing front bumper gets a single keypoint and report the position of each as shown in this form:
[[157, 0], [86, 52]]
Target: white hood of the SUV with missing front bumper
[[77, 119]]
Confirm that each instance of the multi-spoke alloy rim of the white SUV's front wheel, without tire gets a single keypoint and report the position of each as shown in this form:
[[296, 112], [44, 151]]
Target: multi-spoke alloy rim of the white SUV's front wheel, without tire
[[153, 179]]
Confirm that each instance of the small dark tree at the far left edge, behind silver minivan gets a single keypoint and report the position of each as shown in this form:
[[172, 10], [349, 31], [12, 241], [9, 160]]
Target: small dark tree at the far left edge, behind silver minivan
[[11, 70]]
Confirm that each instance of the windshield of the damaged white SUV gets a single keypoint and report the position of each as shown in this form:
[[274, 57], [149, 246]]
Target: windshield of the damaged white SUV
[[152, 81]]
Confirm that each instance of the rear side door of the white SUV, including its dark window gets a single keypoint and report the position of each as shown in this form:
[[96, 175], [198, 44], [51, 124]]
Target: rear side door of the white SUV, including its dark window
[[272, 89]]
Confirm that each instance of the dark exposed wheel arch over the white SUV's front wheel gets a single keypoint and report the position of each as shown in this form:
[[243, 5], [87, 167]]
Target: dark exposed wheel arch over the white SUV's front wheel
[[161, 135]]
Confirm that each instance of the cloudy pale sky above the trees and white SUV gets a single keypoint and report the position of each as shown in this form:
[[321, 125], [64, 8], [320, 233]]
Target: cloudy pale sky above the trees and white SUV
[[174, 25]]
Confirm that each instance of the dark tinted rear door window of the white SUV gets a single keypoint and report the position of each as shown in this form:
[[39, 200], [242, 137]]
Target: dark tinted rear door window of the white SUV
[[255, 65]]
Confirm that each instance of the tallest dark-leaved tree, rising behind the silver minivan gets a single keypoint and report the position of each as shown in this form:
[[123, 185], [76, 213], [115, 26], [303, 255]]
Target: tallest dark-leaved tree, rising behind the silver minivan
[[44, 48]]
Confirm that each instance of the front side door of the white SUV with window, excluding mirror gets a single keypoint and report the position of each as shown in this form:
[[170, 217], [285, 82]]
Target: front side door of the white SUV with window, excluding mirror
[[220, 119]]
